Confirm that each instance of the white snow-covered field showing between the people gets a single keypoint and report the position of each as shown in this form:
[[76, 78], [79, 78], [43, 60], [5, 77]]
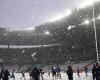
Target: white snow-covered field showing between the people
[[63, 76]]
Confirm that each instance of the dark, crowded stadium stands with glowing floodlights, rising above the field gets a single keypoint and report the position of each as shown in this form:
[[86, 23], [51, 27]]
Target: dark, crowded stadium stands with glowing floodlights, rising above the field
[[70, 39]]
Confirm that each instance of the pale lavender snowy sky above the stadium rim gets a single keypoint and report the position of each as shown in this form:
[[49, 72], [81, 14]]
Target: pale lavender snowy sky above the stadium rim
[[29, 13]]
